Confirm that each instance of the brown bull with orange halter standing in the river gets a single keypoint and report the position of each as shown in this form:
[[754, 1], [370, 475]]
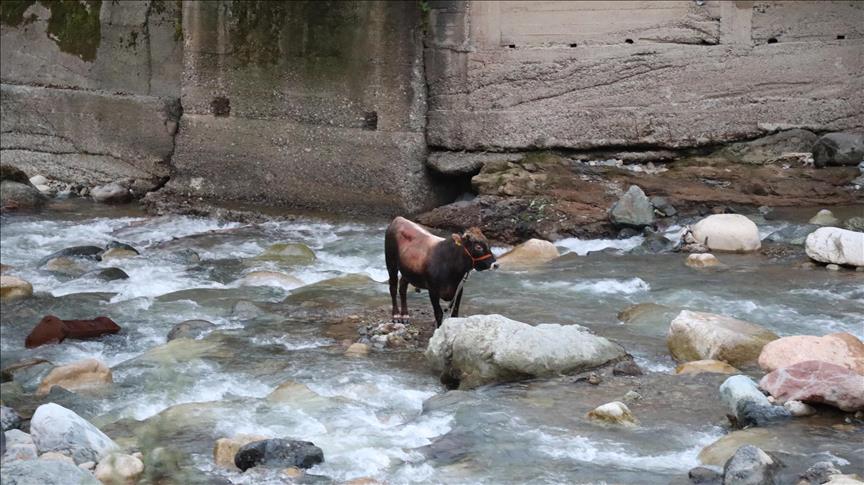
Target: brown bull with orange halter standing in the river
[[432, 263]]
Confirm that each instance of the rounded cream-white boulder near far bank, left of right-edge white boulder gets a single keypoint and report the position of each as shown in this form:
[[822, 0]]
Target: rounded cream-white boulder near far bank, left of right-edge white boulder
[[727, 232]]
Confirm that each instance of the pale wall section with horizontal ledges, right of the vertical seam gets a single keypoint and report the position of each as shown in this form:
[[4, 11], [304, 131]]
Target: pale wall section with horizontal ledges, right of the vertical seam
[[503, 75]]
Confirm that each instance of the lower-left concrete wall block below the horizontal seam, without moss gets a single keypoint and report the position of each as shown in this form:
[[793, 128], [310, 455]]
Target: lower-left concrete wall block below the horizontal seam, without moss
[[86, 136]]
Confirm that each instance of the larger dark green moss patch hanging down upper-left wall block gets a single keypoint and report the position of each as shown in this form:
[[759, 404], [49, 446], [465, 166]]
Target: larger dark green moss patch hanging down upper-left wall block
[[74, 26]]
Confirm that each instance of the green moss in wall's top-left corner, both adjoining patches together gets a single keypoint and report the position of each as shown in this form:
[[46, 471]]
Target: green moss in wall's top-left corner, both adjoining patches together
[[74, 24]]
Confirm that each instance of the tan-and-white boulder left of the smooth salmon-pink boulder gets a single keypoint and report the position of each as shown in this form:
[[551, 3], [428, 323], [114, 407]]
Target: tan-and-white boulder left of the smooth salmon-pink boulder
[[700, 336]]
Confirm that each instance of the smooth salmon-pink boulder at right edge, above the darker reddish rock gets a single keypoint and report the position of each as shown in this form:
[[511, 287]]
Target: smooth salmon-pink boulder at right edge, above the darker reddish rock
[[842, 349]]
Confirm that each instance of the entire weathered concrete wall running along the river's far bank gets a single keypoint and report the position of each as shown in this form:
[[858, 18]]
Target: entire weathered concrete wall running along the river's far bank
[[336, 105]]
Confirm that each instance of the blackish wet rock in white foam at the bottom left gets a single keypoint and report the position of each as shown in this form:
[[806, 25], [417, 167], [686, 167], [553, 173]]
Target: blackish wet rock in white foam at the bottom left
[[279, 453]]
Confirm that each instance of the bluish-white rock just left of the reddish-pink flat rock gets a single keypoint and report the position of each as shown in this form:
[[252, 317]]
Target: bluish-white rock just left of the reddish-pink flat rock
[[747, 403]]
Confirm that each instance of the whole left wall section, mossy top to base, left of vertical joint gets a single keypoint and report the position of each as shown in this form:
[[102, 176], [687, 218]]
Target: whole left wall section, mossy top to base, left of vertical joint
[[89, 89]]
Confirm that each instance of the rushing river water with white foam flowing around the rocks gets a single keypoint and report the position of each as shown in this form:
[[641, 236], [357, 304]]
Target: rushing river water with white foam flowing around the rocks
[[386, 416]]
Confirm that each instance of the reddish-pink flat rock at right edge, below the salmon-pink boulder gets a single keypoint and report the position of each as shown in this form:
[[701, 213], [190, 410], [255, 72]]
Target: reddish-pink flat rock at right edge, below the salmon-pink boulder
[[813, 381]]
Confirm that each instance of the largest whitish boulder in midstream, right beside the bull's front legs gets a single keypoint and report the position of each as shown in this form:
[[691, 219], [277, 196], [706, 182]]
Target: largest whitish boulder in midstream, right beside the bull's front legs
[[491, 348]]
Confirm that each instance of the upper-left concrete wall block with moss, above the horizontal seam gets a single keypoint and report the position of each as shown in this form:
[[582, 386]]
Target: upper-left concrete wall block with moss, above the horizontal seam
[[128, 47]]
